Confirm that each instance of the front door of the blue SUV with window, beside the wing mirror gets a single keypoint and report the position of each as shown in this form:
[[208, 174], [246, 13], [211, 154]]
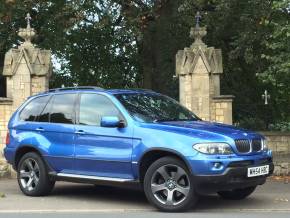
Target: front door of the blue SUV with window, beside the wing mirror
[[100, 151]]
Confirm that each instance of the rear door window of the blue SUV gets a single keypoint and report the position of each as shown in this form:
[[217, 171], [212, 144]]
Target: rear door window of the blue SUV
[[59, 110]]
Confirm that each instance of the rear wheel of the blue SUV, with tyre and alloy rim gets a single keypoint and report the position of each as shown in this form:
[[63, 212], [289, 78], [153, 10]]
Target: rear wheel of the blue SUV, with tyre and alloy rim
[[32, 176]]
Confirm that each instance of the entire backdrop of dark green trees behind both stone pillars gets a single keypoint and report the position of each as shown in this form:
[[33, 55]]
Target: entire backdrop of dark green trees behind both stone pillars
[[132, 43]]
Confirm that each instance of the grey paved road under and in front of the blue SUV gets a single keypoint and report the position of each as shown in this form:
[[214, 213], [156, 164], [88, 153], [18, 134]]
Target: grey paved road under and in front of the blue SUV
[[79, 200]]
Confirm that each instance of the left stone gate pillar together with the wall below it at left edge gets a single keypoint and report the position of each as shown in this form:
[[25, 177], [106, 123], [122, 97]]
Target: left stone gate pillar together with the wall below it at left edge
[[27, 70]]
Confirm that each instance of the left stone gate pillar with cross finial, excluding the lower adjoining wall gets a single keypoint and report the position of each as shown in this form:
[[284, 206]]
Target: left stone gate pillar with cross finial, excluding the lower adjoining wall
[[27, 68]]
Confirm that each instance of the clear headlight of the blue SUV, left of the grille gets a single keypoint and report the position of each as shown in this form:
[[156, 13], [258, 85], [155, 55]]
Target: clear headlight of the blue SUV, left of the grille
[[213, 148]]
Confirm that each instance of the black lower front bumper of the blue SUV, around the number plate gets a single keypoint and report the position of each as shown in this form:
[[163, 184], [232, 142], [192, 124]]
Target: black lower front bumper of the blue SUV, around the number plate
[[232, 178]]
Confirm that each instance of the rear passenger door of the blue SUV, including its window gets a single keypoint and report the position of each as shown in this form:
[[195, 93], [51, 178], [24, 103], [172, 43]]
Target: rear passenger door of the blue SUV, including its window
[[56, 124]]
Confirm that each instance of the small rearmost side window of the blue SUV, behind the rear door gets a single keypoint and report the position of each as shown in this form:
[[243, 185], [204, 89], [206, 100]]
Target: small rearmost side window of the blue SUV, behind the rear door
[[33, 109]]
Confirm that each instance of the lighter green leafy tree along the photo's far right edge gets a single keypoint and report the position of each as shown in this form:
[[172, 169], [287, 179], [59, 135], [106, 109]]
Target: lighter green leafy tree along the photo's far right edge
[[277, 57]]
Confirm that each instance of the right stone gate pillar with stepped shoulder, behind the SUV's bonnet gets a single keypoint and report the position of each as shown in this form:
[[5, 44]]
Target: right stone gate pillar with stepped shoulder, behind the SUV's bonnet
[[199, 68]]
